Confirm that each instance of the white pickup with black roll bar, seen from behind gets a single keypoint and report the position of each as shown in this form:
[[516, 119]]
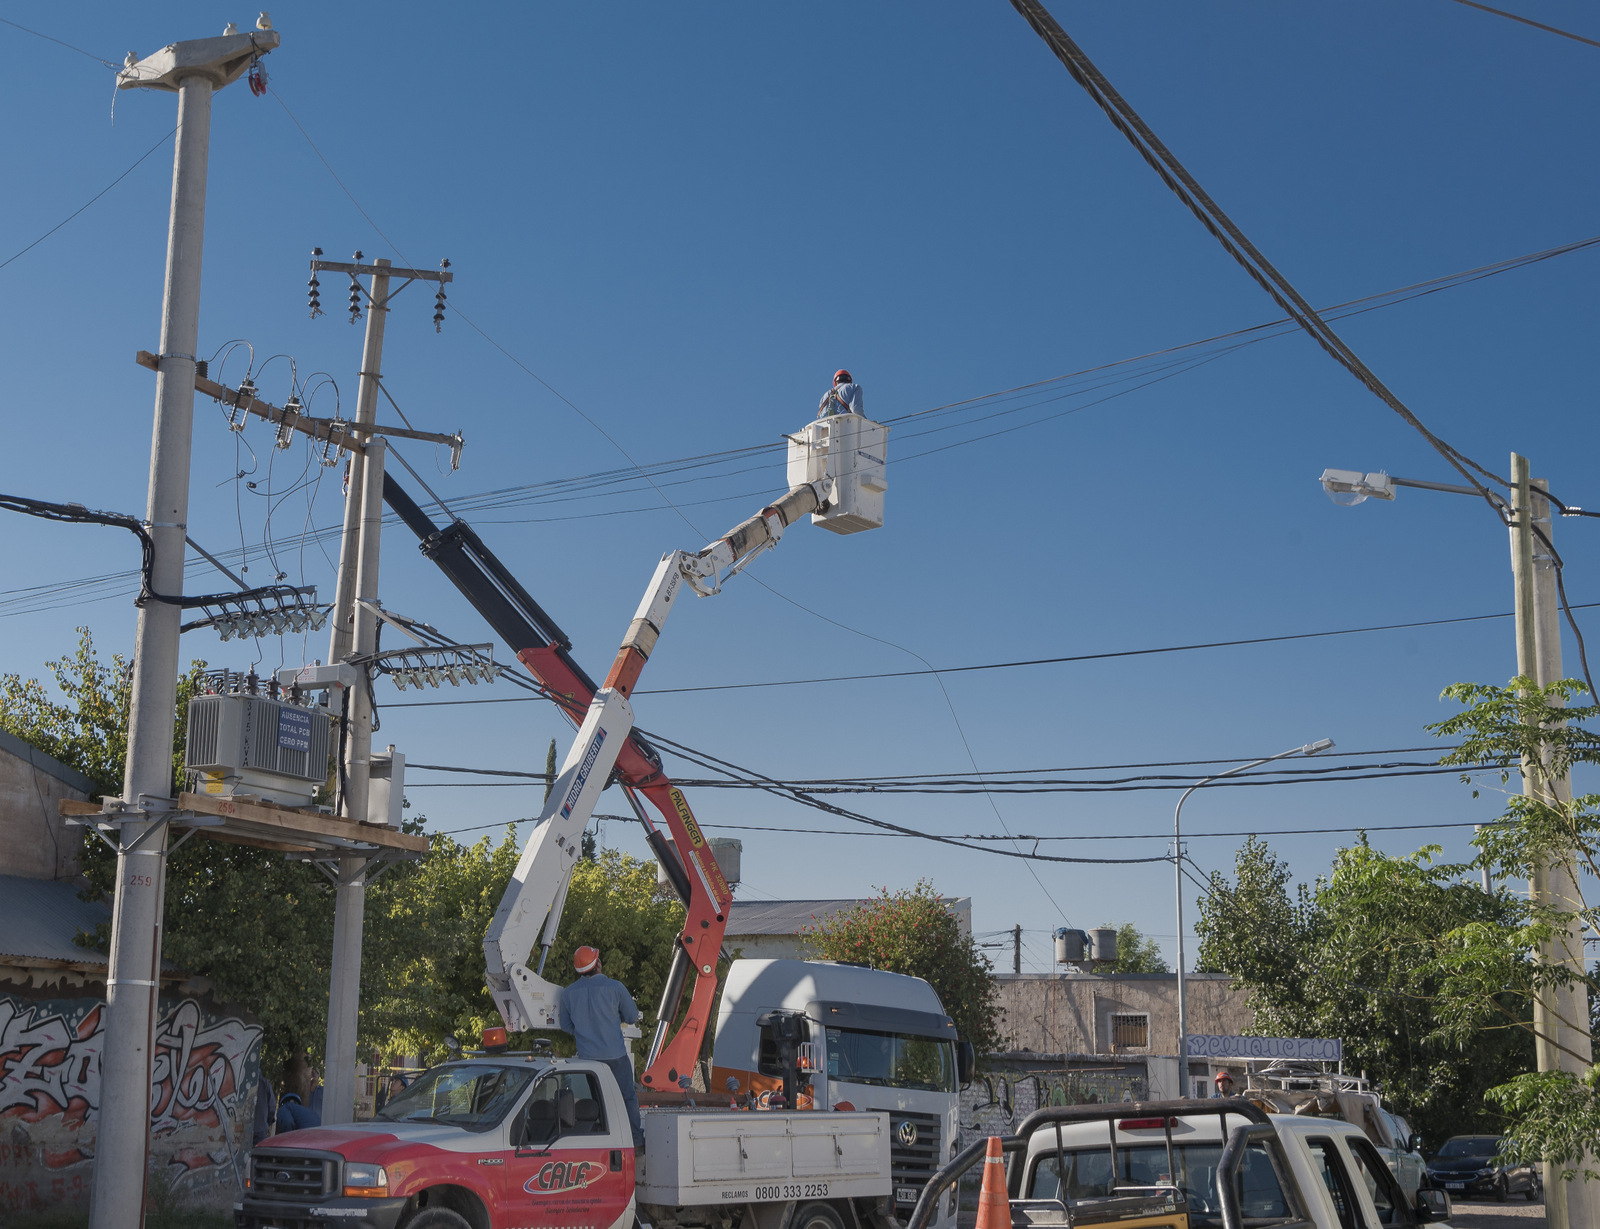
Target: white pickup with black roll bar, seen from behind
[[1215, 1164]]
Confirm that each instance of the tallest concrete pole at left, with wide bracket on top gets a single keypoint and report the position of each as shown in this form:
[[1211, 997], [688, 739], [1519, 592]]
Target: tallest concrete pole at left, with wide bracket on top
[[194, 71]]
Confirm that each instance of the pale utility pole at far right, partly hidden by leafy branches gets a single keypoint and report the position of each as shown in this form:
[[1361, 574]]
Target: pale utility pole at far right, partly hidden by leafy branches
[[1561, 1017]]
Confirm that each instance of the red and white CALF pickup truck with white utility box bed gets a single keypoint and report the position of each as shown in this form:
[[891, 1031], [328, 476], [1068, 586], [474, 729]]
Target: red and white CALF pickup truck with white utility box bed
[[516, 1142]]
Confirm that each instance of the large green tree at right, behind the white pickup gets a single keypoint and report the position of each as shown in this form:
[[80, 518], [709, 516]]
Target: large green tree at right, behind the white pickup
[[1367, 958]]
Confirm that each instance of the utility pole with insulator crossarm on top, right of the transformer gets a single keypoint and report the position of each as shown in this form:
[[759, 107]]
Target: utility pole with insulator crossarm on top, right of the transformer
[[356, 635]]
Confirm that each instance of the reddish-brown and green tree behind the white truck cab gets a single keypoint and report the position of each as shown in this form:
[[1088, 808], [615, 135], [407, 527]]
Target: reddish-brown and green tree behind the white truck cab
[[914, 932]]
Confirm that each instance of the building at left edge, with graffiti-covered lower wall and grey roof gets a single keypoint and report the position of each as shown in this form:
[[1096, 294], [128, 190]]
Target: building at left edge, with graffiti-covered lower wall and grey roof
[[54, 1023]]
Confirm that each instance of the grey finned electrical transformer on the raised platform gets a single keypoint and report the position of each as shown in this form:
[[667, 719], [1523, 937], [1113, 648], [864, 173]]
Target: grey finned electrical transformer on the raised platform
[[254, 745]]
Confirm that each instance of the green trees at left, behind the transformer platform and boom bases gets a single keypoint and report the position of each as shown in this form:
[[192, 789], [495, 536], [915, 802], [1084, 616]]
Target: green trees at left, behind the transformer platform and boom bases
[[262, 927]]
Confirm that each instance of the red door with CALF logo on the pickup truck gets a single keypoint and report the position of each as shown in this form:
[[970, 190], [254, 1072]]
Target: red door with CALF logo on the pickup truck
[[570, 1164]]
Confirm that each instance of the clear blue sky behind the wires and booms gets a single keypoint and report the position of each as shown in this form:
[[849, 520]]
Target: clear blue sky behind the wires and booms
[[684, 218]]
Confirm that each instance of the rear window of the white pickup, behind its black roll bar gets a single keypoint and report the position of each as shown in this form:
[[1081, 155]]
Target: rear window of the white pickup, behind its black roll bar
[[1089, 1177]]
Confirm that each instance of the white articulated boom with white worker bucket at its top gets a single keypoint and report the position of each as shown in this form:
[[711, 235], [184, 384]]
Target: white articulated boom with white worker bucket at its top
[[838, 474]]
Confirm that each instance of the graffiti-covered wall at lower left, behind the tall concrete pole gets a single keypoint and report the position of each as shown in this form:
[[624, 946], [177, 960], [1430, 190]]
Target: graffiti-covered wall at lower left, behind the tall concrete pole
[[202, 1099]]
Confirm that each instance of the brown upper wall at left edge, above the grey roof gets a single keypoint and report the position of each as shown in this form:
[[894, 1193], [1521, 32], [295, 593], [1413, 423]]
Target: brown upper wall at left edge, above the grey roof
[[34, 843]]
